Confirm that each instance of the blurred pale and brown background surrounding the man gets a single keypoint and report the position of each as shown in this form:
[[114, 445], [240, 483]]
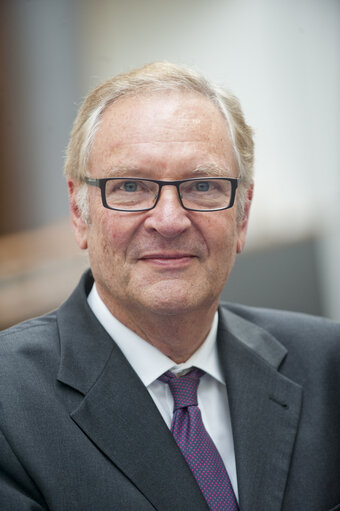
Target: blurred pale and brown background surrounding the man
[[280, 57]]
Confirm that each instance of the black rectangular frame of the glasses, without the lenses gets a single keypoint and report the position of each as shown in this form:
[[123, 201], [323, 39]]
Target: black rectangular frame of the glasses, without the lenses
[[101, 183]]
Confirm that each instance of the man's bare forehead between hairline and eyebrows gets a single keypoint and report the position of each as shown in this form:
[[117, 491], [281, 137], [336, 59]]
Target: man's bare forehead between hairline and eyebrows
[[175, 123]]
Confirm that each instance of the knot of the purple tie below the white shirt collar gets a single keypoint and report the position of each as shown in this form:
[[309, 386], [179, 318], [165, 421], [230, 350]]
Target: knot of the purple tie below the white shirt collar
[[183, 388]]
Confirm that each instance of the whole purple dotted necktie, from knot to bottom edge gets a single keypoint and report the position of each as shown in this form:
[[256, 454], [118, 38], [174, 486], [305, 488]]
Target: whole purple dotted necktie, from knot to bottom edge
[[195, 443]]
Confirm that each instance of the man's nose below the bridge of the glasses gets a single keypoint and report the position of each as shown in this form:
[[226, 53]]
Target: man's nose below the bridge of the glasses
[[168, 218]]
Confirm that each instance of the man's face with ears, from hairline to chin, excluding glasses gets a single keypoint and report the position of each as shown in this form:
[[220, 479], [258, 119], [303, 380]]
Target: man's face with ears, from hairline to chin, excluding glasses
[[167, 260]]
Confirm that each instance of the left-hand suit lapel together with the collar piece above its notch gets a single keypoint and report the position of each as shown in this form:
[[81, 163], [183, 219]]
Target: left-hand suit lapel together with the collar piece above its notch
[[117, 413]]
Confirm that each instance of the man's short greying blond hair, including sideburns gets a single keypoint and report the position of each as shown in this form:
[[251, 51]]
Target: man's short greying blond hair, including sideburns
[[151, 79]]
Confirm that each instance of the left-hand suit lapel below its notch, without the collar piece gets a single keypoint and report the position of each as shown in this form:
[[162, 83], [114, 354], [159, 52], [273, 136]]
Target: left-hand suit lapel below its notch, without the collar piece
[[120, 417]]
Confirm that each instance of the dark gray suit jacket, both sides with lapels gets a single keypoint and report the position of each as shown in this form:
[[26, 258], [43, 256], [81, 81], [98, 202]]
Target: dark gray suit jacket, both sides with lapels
[[79, 431]]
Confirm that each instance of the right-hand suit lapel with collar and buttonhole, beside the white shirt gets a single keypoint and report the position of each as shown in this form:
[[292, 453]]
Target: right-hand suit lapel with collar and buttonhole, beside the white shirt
[[265, 409]]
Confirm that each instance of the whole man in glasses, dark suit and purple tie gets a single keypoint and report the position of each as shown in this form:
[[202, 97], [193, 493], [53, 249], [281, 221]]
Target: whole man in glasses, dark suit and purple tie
[[141, 392]]
